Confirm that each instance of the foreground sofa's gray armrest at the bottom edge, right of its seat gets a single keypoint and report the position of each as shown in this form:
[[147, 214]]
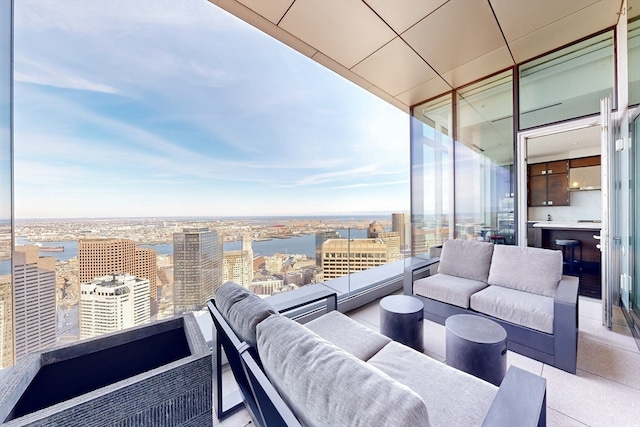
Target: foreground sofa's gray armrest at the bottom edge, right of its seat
[[521, 400]]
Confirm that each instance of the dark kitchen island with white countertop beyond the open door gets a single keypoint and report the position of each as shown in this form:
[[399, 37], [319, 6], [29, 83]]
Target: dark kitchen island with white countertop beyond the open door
[[546, 233]]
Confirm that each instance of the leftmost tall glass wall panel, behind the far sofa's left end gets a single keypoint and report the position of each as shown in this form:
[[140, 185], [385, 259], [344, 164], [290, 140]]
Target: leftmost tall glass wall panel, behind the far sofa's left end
[[431, 174]]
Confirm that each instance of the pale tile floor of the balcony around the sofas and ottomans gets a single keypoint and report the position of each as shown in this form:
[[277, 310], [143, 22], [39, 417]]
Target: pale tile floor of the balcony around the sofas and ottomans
[[604, 392]]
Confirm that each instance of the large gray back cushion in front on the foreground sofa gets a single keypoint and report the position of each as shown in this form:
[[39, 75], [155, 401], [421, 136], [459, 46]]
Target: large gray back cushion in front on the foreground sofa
[[326, 386]]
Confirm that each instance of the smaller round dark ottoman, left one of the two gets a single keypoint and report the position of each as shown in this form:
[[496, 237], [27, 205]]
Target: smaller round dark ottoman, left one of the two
[[402, 320]]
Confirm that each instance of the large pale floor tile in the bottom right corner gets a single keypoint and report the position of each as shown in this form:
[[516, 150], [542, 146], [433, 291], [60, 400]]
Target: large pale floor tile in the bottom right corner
[[591, 399]]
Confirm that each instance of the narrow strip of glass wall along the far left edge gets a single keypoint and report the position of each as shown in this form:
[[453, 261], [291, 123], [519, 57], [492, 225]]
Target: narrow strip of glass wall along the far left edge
[[6, 167]]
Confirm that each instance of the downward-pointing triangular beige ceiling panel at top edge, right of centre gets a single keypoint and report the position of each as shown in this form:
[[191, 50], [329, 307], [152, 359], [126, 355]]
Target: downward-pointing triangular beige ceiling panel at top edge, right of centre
[[402, 14]]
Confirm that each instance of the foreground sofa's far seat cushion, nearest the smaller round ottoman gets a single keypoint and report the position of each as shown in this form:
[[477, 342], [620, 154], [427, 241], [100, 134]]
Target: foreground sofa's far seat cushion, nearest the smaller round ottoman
[[348, 334]]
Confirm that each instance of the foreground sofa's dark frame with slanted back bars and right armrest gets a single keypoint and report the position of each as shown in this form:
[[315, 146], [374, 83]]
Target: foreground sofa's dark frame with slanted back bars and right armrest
[[519, 398]]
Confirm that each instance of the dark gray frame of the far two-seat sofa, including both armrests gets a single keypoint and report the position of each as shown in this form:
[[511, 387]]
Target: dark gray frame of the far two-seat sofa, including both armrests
[[558, 349]]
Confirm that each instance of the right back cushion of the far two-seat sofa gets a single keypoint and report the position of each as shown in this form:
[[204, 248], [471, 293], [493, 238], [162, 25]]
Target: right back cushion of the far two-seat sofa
[[532, 270]]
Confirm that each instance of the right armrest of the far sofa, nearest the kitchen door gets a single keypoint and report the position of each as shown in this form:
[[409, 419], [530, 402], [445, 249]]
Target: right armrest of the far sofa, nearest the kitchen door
[[565, 324]]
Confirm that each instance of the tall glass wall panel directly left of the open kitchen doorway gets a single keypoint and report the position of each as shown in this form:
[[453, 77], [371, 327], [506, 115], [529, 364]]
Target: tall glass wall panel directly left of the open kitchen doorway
[[484, 203]]
